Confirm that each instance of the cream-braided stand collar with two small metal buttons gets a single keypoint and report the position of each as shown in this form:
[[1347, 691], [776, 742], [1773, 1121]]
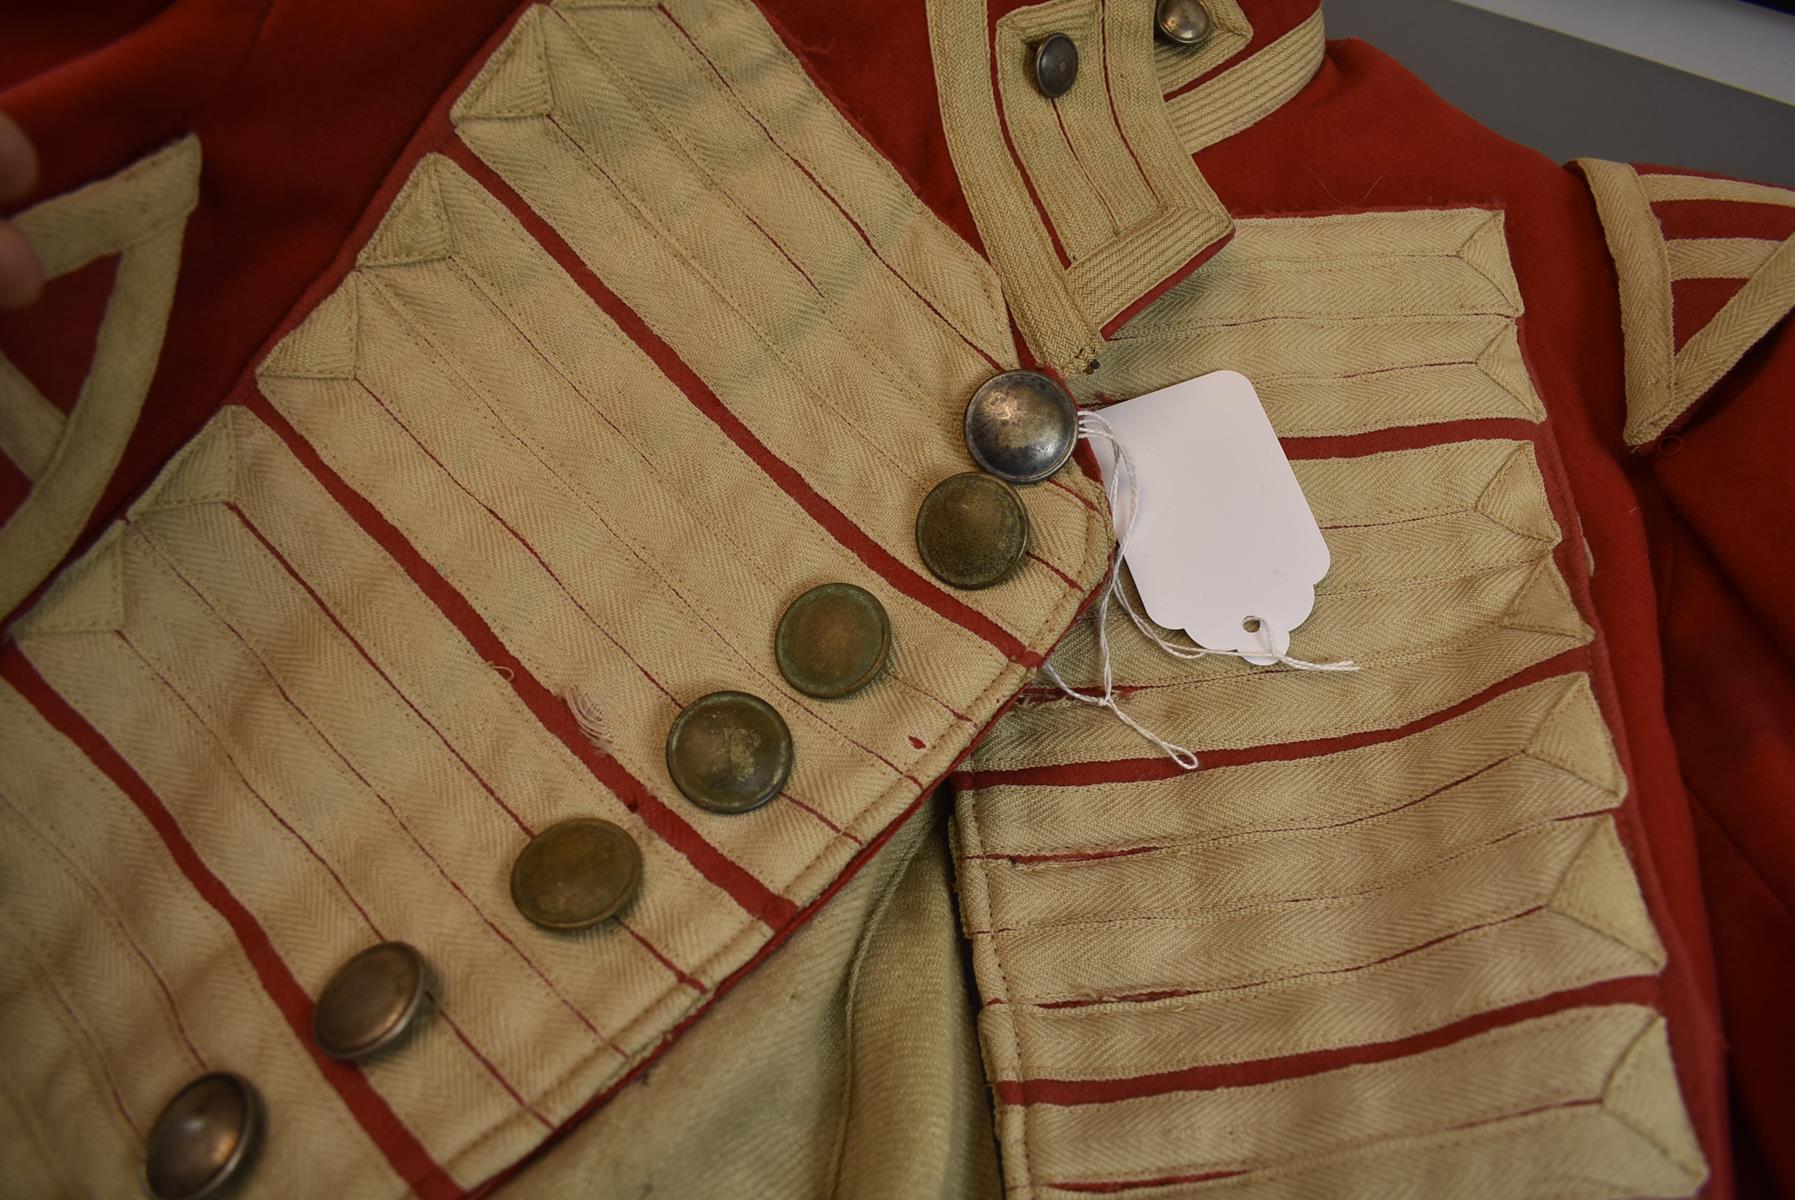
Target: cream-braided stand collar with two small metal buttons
[[1092, 204]]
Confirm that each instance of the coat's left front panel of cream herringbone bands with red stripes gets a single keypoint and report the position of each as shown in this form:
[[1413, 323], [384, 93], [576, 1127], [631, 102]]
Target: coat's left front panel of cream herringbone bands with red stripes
[[647, 291]]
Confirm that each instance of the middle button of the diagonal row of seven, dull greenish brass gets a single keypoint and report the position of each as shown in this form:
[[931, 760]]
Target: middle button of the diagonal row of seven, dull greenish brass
[[730, 752]]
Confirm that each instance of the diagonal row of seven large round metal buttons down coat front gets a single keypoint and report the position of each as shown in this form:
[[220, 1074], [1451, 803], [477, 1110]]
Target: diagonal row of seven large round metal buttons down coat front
[[728, 752]]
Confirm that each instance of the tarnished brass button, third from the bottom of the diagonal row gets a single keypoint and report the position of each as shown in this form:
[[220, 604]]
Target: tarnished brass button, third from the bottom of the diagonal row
[[577, 874]]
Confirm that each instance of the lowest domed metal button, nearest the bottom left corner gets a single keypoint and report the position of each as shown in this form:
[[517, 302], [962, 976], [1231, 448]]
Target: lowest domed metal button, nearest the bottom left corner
[[204, 1138]]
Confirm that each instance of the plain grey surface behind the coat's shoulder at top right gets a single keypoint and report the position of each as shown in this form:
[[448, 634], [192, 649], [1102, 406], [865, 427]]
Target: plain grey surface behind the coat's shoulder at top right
[[1568, 98]]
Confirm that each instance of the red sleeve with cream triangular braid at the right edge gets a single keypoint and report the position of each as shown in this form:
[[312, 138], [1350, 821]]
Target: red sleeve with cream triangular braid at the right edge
[[1708, 279]]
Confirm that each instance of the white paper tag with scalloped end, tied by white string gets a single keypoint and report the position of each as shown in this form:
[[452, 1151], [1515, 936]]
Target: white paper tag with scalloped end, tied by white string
[[1225, 539]]
